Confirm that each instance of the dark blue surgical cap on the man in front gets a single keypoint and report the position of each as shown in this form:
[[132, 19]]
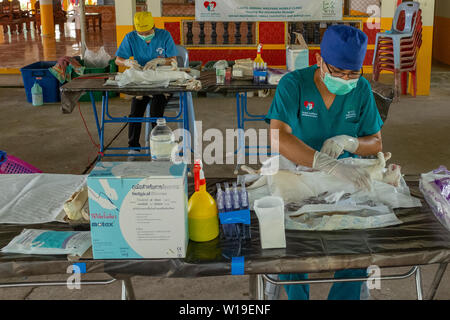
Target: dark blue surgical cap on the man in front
[[344, 47]]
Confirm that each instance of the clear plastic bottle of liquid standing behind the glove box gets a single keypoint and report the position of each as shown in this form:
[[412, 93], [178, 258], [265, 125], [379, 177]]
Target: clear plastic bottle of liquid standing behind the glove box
[[162, 141]]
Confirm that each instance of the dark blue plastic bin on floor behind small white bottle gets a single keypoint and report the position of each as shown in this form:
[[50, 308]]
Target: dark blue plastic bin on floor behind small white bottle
[[38, 71]]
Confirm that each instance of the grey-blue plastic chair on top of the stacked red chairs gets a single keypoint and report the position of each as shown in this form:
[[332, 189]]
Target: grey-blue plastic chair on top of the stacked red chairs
[[411, 9]]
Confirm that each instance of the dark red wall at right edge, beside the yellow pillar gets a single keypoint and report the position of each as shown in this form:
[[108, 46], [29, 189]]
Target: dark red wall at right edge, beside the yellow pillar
[[441, 40]]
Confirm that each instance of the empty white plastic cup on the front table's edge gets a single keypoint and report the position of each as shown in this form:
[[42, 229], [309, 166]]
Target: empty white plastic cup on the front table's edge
[[270, 213]]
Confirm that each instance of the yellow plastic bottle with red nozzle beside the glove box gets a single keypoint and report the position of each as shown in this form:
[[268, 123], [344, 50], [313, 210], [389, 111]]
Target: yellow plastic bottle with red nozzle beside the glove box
[[202, 210]]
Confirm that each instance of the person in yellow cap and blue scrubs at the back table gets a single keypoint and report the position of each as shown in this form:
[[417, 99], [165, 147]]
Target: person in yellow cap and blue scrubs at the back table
[[150, 47]]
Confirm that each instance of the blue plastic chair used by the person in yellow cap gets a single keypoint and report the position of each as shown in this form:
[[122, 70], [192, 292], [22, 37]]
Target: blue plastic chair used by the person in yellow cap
[[174, 102]]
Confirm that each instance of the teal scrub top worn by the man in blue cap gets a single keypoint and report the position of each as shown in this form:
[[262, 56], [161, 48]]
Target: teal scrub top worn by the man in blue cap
[[298, 103]]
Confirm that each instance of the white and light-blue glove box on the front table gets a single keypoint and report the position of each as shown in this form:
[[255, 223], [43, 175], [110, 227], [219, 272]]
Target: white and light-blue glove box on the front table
[[138, 210]]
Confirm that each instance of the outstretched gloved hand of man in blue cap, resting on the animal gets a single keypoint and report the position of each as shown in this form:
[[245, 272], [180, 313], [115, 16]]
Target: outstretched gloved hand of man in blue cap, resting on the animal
[[352, 173]]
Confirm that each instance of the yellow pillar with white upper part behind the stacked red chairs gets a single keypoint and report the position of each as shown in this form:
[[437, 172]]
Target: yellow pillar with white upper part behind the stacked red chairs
[[424, 56]]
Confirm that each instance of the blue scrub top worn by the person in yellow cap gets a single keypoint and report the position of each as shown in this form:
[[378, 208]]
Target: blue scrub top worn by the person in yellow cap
[[162, 45]]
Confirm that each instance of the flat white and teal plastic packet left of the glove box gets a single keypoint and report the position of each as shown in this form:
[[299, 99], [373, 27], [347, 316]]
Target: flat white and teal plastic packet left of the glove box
[[32, 241]]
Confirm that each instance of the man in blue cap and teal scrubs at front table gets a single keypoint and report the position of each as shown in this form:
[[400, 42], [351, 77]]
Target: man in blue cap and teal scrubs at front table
[[326, 112]]
